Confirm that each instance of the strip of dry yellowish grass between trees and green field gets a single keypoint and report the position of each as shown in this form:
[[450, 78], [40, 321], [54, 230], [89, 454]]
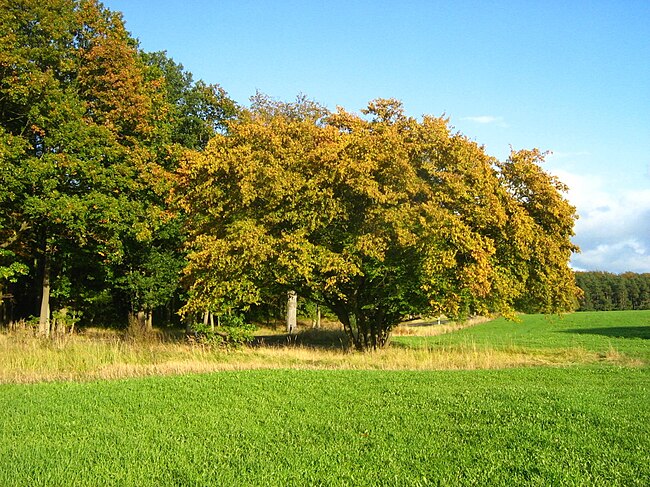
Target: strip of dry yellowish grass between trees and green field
[[104, 354]]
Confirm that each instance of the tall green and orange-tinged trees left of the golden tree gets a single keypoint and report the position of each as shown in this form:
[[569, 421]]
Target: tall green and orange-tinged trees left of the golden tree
[[90, 132]]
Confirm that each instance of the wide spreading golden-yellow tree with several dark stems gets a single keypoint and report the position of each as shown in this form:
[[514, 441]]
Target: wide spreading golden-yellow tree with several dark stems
[[376, 216]]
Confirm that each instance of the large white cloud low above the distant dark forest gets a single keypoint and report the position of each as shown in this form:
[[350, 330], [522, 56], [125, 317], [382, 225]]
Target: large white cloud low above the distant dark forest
[[613, 230]]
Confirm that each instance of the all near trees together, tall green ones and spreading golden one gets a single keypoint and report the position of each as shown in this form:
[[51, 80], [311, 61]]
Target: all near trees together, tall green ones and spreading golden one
[[131, 190]]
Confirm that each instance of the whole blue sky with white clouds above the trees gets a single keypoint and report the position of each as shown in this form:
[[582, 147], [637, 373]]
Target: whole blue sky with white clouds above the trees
[[571, 77]]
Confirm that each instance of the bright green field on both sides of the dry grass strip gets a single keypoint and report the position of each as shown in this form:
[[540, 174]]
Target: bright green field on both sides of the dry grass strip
[[583, 424]]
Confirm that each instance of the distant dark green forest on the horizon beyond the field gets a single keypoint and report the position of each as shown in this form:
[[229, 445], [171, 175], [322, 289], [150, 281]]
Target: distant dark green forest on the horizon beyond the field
[[604, 291]]
